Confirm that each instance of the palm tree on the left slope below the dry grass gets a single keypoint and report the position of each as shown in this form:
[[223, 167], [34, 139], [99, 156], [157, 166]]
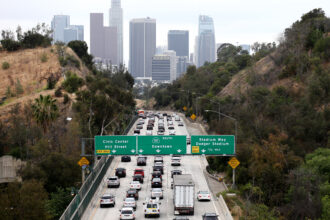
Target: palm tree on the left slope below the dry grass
[[45, 111]]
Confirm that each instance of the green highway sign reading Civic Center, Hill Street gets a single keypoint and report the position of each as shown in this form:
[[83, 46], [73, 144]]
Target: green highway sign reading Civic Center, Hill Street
[[115, 145]]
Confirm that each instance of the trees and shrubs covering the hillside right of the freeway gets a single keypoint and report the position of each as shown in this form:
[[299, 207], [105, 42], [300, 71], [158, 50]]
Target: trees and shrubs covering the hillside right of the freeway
[[283, 136]]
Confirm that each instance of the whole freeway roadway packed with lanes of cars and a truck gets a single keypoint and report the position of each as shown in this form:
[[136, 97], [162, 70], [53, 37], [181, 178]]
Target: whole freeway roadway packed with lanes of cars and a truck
[[165, 187]]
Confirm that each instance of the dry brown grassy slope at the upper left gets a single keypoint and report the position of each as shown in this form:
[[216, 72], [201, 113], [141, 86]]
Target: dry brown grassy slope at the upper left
[[28, 72]]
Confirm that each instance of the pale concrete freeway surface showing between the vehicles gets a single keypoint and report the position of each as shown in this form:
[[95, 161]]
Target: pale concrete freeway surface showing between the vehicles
[[189, 165]]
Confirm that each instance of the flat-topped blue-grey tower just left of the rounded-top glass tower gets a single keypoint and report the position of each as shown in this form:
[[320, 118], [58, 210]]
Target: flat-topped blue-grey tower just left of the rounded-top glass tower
[[178, 40]]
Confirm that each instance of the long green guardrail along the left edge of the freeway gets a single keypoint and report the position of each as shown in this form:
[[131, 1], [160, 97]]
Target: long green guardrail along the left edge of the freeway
[[86, 192]]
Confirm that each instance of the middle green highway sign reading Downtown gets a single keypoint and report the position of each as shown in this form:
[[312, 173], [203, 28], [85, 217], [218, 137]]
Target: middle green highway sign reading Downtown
[[164, 144]]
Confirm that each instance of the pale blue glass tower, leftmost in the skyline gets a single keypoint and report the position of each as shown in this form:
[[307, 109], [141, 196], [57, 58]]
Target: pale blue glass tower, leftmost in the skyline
[[59, 23]]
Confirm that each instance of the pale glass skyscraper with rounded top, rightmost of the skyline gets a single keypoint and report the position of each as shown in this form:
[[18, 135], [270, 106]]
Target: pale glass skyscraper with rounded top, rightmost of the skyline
[[206, 41]]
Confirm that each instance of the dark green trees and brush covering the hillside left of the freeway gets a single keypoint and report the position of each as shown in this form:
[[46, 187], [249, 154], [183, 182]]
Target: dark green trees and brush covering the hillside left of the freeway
[[39, 133]]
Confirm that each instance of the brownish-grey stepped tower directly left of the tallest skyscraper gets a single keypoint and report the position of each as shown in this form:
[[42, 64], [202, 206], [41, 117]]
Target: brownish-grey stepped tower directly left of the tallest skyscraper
[[103, 40]]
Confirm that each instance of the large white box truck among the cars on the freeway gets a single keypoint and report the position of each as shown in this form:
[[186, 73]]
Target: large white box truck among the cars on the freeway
[[183, 194]]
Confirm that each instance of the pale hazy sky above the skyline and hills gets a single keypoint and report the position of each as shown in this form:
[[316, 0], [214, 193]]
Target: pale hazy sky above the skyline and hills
[[242, 21]]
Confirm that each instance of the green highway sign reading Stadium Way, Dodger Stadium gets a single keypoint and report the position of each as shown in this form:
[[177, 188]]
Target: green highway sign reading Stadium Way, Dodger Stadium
[[213, 144]]
